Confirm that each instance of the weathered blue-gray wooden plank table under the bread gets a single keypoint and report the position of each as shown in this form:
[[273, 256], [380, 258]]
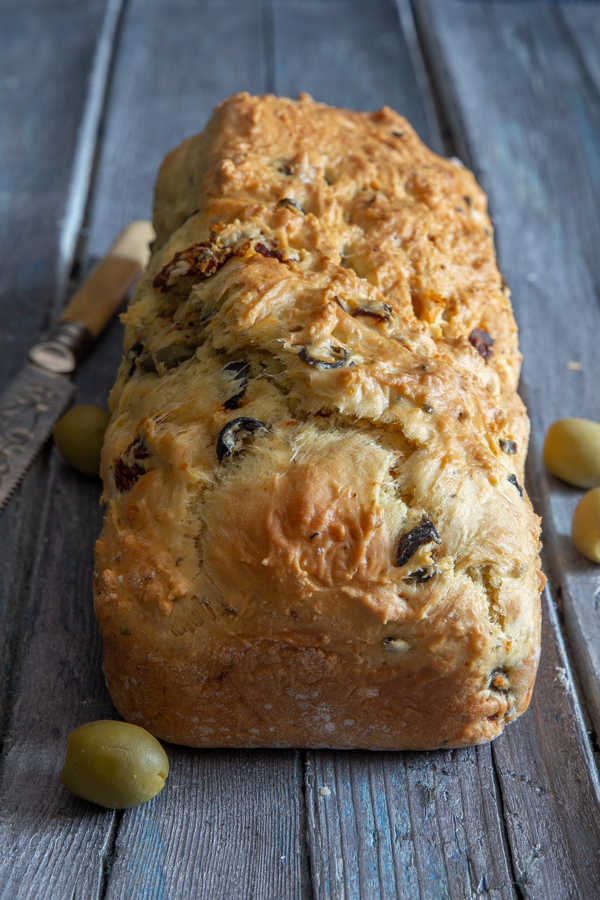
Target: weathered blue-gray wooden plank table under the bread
[[94, 92]]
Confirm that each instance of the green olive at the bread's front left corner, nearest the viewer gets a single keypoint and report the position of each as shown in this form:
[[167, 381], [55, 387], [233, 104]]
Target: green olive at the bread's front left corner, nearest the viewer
[[114, 764]]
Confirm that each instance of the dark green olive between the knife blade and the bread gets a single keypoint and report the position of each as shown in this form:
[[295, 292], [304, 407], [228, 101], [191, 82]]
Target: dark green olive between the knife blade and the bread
[[79, 436]]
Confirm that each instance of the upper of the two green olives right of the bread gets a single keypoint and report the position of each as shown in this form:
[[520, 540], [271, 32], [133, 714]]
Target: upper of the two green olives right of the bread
[[572, 451]]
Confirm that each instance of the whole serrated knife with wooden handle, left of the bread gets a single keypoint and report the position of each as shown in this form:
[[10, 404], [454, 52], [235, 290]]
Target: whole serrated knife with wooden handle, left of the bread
[[43, 388]]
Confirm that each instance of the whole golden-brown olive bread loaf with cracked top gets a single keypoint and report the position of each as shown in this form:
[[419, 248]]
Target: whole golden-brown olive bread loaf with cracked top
[[315, 531]]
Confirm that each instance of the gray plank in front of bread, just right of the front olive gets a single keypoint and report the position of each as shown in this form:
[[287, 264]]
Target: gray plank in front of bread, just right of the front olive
[[227, 825]]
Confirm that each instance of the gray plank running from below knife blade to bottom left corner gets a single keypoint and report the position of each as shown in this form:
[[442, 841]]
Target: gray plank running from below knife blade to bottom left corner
[[51, 843]]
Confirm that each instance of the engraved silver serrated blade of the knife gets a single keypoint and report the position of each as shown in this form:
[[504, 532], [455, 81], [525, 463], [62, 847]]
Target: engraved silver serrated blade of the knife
[[28, 410]]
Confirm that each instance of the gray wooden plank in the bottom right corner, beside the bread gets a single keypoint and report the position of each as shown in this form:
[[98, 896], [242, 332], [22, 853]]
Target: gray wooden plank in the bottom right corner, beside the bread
[[549, 785]]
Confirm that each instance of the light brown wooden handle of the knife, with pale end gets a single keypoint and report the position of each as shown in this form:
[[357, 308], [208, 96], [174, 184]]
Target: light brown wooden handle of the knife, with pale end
[[102, 293]]
